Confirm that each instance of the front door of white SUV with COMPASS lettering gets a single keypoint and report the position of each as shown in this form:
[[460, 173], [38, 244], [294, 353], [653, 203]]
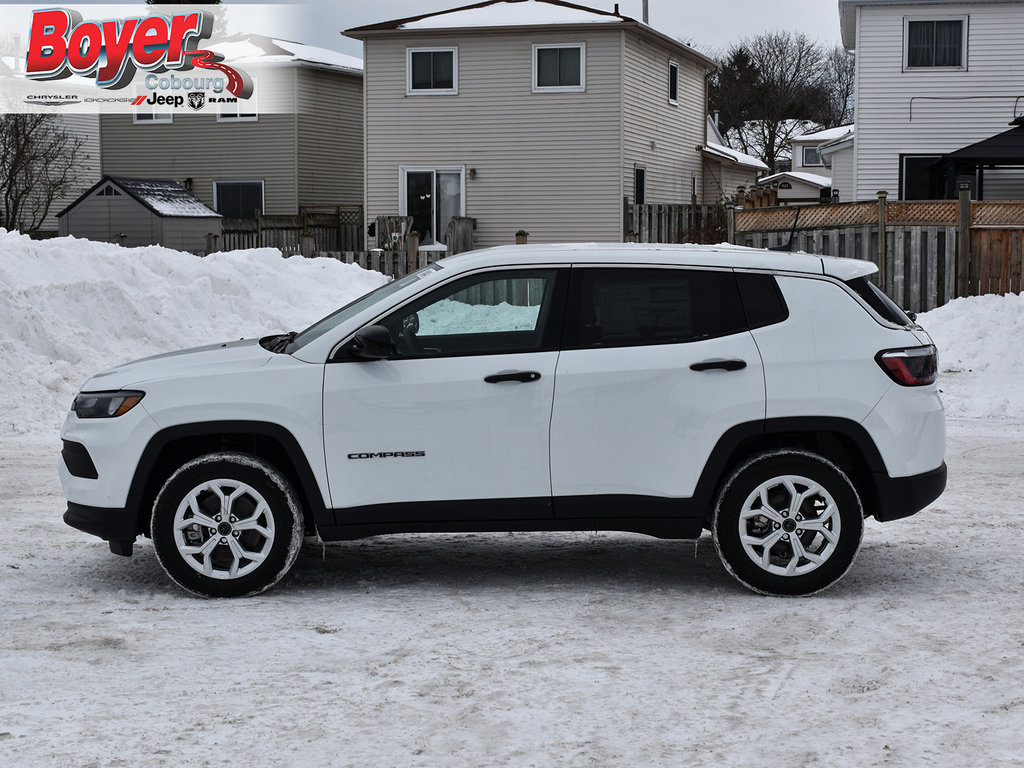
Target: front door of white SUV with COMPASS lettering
[[459, 414]]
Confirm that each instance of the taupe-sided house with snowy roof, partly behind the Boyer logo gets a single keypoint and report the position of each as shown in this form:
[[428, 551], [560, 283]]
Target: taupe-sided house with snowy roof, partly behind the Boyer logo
[[297, 144]]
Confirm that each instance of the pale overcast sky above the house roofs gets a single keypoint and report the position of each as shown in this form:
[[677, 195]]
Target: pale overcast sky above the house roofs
[[709, 26]]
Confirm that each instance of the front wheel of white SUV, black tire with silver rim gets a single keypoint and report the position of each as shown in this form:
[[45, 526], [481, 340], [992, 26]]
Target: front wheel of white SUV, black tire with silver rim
[[227, 526]]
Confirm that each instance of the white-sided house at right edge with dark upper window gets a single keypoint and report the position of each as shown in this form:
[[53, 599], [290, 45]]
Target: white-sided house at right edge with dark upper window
[[934, 77]]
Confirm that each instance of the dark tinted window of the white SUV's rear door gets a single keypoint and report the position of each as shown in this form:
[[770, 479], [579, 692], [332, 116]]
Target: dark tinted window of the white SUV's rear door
[[627, 307]]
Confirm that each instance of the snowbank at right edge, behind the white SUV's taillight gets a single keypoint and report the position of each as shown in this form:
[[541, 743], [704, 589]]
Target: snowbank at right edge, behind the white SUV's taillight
[[982, 359]]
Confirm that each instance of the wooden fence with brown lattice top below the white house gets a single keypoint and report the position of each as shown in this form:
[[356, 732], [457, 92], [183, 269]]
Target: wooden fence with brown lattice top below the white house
[[923, 261]]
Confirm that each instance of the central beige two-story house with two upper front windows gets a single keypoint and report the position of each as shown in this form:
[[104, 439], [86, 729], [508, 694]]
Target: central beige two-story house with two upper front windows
[[531, 115]]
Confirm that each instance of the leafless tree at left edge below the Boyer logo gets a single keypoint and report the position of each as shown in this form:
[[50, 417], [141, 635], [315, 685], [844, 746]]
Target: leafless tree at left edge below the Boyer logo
[[39, 163]]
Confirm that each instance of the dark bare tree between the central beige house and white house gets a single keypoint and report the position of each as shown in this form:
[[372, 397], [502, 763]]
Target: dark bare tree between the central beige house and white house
[[772, 88]]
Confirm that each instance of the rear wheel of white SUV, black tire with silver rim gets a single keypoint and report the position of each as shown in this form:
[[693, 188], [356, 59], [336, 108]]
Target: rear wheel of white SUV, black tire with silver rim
[[812, 526]]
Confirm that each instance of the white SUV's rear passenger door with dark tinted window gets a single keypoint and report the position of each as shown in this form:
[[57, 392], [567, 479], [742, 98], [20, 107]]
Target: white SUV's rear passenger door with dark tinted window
[[657, 365]]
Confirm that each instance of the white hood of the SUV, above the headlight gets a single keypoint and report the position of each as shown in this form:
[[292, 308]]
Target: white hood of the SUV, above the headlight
[[230, 357]]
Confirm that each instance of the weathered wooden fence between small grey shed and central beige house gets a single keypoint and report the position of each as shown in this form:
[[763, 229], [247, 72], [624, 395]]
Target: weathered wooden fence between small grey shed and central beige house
[[339, 229]]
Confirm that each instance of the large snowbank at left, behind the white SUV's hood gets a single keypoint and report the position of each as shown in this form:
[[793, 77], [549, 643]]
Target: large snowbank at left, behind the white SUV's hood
[[71, 309]]
